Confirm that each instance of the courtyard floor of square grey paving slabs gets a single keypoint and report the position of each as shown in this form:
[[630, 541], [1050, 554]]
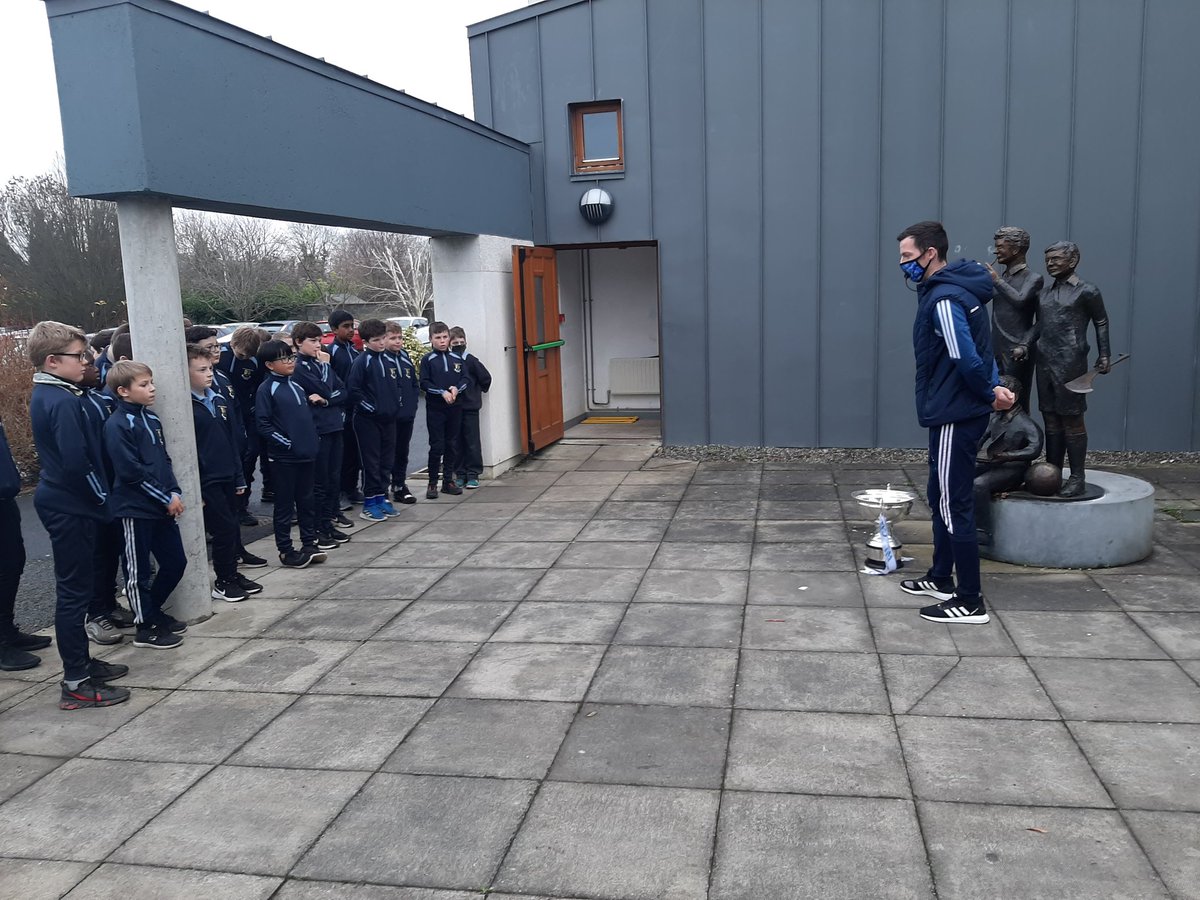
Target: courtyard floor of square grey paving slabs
[[608, 676]]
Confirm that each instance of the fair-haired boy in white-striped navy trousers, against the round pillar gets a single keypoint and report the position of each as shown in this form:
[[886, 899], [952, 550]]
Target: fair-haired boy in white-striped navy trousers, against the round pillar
[[148, 500]]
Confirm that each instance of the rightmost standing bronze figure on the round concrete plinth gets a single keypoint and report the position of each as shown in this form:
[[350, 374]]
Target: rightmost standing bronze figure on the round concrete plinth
[[1065, 310]]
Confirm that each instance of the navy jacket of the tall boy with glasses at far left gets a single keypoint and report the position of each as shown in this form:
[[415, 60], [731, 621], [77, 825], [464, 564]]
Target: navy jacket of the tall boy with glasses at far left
[[73, 481]]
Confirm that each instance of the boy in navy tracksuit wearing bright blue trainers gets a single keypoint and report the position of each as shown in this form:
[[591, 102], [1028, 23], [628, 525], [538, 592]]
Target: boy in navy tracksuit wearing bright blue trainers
[[375, 398]]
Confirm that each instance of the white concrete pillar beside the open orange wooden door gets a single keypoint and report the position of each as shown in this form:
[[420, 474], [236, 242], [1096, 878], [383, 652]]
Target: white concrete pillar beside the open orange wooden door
[[473, 289]]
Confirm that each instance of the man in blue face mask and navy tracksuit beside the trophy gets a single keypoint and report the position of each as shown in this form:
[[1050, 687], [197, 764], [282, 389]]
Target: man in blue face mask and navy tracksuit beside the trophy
[[958, 387]]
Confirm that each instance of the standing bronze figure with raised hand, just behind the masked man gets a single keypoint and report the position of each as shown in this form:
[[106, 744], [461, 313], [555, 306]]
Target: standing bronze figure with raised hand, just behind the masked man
[[1015, 305]]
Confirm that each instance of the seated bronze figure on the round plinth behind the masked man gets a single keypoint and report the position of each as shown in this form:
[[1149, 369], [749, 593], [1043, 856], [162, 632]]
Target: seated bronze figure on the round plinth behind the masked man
[[1012, 442]]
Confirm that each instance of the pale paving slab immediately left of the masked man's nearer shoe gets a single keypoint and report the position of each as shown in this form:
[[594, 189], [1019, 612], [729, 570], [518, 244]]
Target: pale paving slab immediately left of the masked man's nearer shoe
[[802, 628]]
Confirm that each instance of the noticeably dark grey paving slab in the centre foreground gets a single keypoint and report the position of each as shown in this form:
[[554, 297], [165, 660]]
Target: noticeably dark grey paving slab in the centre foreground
[[669, 747]]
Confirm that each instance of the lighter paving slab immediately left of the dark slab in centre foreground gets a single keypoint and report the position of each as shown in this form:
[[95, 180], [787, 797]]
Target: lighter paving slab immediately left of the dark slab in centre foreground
[[489, 739]]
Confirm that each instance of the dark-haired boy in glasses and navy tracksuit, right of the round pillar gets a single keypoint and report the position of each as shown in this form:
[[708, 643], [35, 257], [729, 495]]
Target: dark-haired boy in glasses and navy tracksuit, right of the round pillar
[[290, 437]]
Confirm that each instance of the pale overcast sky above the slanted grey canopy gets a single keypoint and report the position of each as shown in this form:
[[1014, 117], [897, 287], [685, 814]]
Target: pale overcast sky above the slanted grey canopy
[[418, 46]]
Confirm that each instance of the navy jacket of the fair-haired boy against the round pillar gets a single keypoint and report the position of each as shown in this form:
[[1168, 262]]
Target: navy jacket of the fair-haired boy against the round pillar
[[143, 479]]
